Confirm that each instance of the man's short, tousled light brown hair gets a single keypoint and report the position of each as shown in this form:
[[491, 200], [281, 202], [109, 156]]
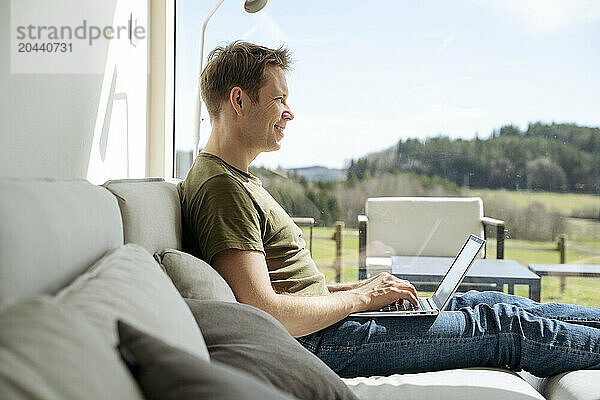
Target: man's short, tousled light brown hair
[[239, 64]]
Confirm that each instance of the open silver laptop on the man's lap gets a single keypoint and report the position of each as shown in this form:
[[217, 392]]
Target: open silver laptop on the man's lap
[[437, 303]]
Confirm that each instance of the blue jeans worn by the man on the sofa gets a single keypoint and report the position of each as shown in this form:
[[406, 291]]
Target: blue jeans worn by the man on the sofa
[[479, 329]]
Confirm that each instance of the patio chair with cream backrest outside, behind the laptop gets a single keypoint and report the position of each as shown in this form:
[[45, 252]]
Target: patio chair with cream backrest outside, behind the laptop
[[422, 226]]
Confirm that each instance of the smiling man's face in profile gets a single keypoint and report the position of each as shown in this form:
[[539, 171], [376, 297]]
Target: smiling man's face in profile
[[268, 117]]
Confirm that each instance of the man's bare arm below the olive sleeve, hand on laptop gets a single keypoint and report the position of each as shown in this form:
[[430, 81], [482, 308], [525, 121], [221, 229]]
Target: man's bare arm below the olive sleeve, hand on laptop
[[247, 274]]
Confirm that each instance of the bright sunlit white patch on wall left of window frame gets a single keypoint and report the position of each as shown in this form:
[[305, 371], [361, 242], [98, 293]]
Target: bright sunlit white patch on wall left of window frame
[[119, 142]]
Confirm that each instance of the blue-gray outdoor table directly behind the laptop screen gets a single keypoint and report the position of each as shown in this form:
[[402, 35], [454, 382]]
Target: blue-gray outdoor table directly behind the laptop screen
[[487, 274]]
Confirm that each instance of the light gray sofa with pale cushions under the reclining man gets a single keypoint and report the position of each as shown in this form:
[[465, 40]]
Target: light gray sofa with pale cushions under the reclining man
[[65, 277]]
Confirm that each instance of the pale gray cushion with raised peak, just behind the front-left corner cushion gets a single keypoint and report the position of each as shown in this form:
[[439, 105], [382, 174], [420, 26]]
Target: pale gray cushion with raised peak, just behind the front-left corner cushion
[[128, 284]]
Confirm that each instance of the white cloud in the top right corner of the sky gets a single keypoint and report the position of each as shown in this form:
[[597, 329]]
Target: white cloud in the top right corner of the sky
[[551, 15]]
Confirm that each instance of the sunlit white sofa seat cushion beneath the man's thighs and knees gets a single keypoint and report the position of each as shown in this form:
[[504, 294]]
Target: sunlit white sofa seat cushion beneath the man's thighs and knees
[[457, 384]]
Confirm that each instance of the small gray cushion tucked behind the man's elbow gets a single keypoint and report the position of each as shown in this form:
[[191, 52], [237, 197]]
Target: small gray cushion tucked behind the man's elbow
[[194, 278]]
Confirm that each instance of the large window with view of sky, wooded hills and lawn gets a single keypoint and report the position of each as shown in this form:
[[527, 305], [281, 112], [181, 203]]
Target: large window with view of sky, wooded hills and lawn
[[496, 100]]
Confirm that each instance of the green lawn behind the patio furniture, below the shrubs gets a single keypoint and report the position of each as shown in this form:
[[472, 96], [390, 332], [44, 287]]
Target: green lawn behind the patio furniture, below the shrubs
[[584, 291]]
